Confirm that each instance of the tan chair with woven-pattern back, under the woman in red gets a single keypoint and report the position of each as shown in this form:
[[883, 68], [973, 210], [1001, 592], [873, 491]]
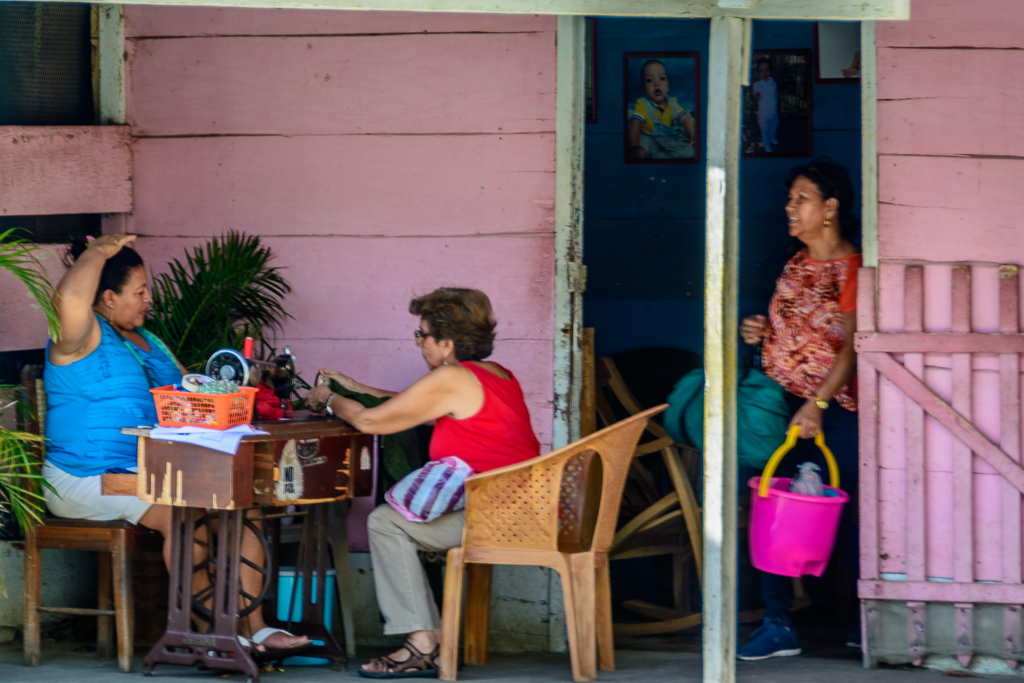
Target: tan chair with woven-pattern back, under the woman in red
[[557, 511]]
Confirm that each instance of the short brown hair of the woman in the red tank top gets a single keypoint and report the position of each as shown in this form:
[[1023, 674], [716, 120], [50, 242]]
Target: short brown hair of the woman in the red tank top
[[461, 315]]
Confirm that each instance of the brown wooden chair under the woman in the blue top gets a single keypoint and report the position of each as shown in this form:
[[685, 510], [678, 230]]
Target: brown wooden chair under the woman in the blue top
[[115, 541]]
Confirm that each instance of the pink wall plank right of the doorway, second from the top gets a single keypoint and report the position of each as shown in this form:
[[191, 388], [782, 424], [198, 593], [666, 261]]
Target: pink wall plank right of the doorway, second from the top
[[951, 102]]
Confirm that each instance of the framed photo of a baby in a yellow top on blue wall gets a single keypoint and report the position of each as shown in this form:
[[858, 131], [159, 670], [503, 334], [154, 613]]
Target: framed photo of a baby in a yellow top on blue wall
[[663, 108]]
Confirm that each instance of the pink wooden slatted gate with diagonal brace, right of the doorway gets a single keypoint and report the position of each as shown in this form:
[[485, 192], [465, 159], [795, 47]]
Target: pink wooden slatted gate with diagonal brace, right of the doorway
[[941, 438]]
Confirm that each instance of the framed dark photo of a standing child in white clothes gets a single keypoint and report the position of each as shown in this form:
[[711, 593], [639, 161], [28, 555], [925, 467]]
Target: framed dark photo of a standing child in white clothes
[[778, 105]]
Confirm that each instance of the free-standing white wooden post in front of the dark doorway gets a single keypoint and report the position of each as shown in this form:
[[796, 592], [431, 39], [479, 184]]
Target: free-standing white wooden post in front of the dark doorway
[[728, 66]]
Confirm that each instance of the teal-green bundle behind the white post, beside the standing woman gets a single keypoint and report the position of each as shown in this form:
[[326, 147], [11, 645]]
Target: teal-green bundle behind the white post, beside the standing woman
[[762, 415]]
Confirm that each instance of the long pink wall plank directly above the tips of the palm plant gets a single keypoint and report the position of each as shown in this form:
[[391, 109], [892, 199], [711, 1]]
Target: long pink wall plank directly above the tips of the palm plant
[[311, 186]]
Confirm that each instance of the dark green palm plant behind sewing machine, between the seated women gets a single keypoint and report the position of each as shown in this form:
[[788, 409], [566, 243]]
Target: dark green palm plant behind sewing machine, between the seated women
[[226, 291]]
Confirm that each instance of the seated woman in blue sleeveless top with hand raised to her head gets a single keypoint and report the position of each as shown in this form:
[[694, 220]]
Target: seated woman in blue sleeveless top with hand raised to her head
[[98, 378]]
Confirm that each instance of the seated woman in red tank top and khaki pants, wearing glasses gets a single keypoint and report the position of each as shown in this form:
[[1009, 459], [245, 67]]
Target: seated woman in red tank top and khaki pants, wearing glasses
[[480, 416]]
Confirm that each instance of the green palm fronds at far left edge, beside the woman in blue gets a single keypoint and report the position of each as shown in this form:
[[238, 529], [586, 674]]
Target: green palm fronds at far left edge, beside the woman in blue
[[20, 476]]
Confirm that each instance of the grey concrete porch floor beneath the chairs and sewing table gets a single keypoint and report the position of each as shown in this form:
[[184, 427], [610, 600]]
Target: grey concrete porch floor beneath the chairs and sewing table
[[72, 663]]
